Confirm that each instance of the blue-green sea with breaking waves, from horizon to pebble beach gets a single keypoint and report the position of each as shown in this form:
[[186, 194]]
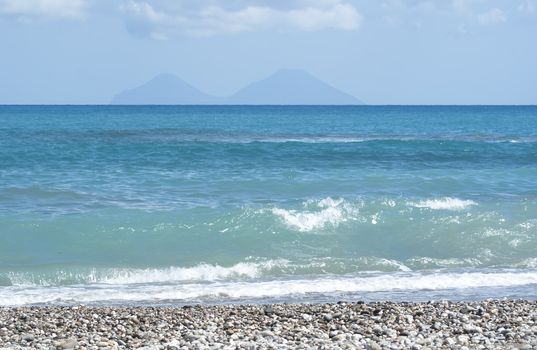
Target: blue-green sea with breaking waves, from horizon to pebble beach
[[177, 205]]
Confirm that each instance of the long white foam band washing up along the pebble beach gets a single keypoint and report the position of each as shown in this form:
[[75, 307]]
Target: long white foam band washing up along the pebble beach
[[240, 290]]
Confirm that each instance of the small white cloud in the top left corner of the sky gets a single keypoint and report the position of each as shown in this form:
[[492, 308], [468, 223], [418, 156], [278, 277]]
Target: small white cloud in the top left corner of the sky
[[28, 10]]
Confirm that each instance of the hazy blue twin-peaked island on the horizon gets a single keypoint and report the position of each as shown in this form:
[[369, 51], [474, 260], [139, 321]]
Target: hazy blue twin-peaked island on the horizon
[[284, 87]]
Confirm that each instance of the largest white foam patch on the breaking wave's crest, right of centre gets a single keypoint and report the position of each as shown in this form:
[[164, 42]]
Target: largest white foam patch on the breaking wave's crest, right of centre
[[317, 214]]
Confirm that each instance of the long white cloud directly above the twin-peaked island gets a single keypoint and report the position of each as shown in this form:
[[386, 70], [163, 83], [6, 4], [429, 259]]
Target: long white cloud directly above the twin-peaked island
[[144, 19]]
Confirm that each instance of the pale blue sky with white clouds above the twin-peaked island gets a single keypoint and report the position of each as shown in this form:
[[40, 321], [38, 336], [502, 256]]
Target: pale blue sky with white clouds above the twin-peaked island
[[380, 51]]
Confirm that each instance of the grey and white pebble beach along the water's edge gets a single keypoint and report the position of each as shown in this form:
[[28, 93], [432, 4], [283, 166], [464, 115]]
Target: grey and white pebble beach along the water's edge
[[487, 324]]
